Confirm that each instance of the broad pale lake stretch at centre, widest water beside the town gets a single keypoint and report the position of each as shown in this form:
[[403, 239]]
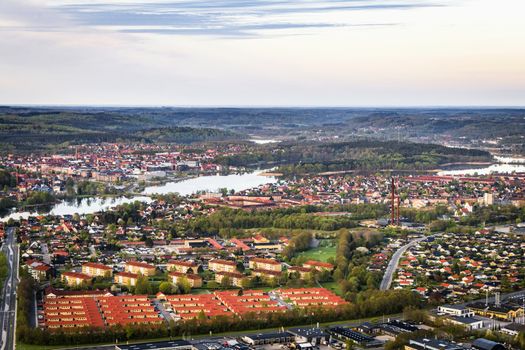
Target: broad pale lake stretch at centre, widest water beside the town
[[213, 183]]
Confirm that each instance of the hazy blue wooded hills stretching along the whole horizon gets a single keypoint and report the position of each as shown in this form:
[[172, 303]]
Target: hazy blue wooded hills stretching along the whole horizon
[[28, 128]]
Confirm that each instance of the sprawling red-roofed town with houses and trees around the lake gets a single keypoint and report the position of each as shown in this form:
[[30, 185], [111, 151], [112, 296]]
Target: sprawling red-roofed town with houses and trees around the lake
[[266, 255]]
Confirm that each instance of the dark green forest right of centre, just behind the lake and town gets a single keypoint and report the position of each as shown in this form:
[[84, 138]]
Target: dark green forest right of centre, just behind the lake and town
[[364, 155]]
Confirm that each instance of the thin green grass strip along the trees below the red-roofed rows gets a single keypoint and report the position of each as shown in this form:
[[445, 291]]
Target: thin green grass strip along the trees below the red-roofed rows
[[21, 346]]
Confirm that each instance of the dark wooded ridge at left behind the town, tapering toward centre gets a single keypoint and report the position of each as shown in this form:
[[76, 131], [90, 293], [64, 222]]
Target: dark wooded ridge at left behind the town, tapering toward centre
[[40, 129]]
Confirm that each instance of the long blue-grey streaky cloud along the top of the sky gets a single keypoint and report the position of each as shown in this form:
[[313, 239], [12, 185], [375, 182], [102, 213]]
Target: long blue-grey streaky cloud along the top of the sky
[[228, 17]]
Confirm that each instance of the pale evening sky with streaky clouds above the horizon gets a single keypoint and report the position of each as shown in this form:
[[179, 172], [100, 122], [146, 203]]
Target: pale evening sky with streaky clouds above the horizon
[[262, 52]]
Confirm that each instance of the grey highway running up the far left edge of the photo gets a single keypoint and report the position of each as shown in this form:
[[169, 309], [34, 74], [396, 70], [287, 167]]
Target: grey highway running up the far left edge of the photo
[[8, 296]]
